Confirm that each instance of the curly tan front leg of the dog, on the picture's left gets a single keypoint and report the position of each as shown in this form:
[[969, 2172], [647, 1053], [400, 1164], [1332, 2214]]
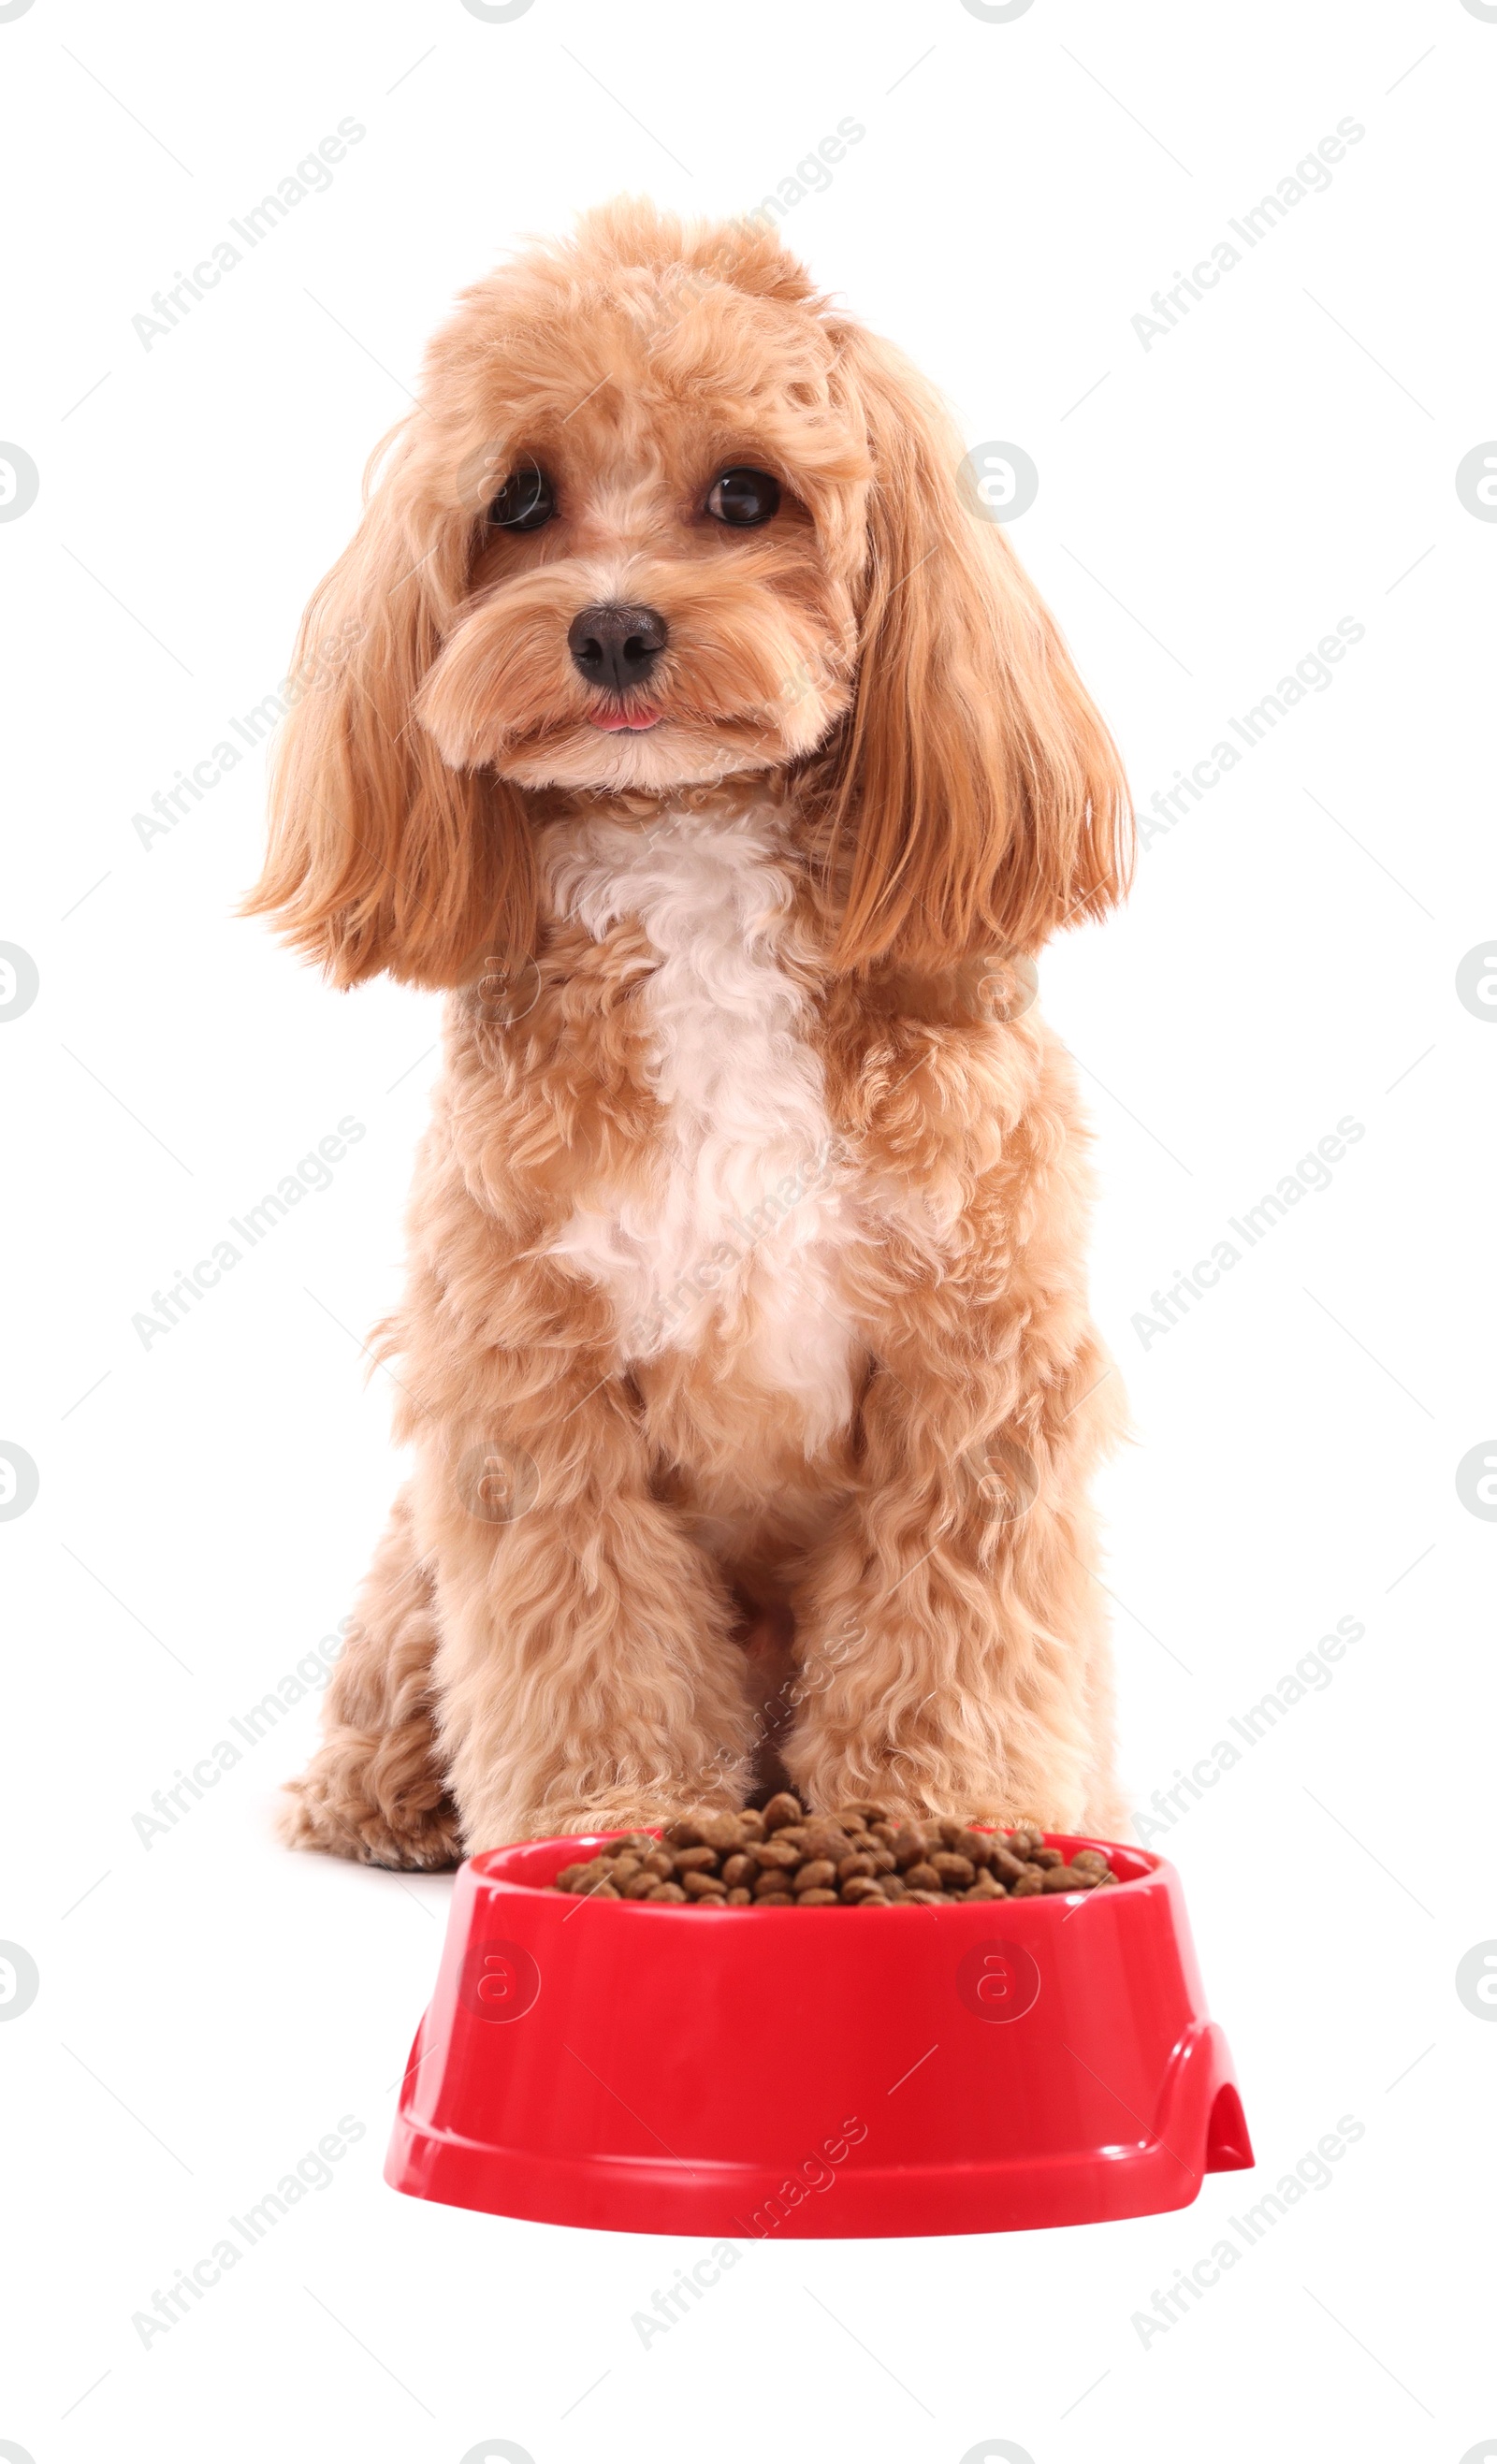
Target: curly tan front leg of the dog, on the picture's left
[[588, 1674]]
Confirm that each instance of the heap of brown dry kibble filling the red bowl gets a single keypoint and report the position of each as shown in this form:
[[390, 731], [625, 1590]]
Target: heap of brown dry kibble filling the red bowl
[[859, 1857]]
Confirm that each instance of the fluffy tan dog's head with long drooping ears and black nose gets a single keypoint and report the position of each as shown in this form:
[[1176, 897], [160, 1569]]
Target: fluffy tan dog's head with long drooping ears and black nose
[[662, 519]]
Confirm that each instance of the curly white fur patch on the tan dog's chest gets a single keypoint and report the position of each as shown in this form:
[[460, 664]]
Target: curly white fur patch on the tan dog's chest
[[736, 1241]]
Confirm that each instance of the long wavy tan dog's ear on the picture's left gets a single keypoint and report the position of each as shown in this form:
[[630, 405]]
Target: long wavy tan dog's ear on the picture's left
[[381, 856]]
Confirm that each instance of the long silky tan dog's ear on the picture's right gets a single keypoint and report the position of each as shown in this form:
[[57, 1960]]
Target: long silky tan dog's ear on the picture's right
[[975, 797]]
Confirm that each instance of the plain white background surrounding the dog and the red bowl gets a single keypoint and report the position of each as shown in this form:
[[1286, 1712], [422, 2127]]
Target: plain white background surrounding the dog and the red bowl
[[1210, 509]]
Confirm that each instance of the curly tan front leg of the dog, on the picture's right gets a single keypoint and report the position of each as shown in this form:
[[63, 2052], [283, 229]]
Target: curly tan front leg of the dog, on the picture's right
[[953, 1637]]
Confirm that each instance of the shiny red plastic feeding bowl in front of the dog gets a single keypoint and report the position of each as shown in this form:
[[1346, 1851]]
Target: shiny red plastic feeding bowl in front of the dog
[[815, 2073]]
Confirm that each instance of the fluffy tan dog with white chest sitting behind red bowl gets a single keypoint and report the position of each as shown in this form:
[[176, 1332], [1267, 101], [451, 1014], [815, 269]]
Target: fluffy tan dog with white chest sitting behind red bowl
[[682, 716]]
